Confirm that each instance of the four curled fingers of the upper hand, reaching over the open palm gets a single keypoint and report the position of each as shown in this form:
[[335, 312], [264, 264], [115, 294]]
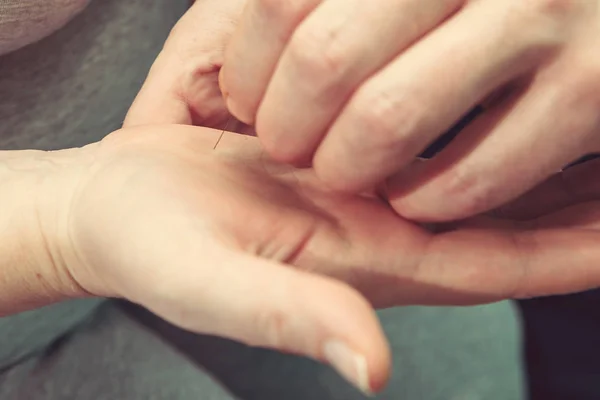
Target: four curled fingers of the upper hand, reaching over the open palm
[[359, 88]]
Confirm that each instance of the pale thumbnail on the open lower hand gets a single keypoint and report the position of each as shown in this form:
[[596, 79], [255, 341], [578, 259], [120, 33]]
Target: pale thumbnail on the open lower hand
[[349, 364]]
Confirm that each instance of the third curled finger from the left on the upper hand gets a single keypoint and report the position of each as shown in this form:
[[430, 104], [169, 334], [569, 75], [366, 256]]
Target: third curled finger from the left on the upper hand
[[404, 107]]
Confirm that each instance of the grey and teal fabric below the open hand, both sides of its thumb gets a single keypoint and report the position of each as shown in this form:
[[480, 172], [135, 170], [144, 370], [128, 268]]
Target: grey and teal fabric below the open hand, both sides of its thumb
[[126, 353]]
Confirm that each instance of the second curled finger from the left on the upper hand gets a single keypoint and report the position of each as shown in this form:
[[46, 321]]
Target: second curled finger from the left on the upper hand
[[335, 48]]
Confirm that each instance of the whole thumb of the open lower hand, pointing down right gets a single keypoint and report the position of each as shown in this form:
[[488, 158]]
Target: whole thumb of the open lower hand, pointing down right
[[264, 303]]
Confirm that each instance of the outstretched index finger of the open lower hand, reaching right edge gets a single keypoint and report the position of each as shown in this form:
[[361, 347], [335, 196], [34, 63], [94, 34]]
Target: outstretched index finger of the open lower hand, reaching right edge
[[473, 266]]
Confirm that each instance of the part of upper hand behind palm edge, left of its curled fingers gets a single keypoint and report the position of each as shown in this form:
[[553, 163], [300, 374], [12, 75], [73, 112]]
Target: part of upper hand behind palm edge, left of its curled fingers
[[182, 86]]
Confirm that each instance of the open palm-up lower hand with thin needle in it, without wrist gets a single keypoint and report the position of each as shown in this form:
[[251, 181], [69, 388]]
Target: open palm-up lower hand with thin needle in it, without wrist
[[204, 230]]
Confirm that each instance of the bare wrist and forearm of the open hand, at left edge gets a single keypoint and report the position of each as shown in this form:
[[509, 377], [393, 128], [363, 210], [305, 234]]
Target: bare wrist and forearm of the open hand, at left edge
[[32, 270]]
